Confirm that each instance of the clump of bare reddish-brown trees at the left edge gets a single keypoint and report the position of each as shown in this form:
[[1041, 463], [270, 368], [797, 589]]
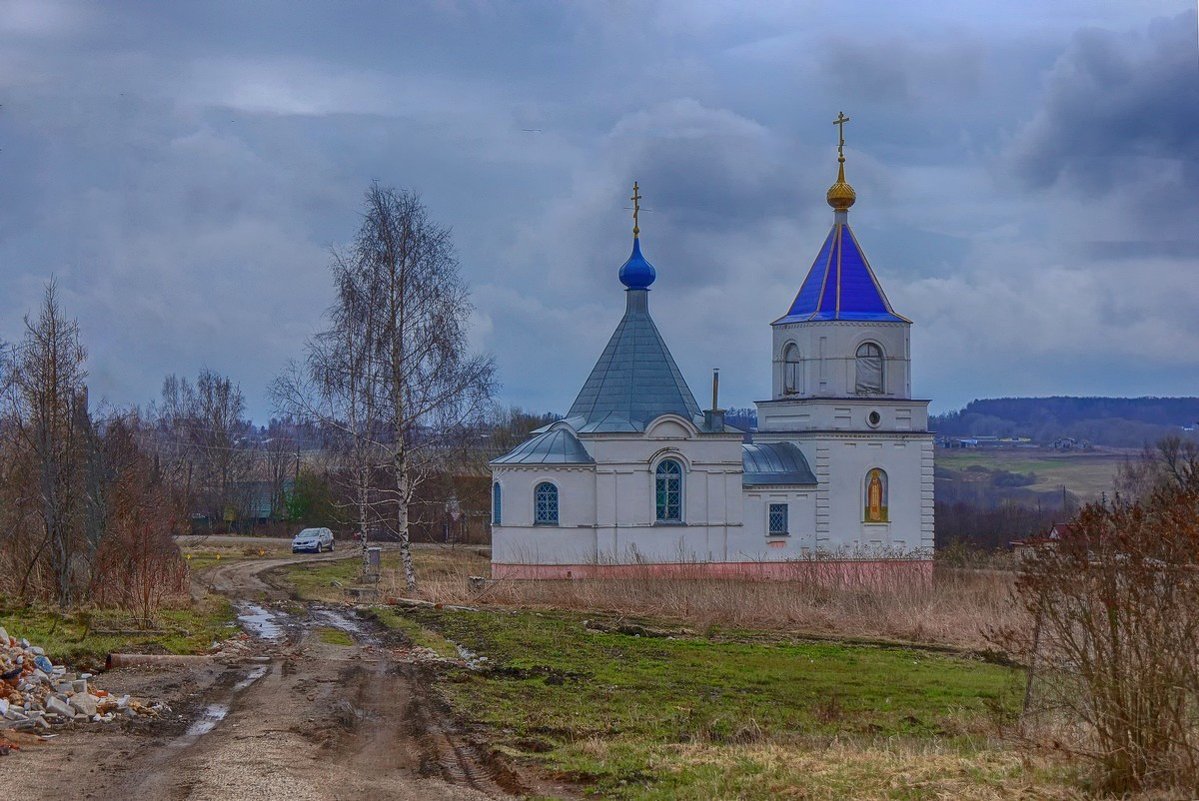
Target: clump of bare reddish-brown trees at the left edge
[[83, 517]]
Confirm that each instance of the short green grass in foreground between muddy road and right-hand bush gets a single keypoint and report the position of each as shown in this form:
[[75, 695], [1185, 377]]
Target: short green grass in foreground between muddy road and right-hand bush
[[736, 718]]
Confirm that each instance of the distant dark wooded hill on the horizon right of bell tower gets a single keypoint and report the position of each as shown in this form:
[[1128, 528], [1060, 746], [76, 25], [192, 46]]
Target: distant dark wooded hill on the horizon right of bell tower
[[1113, 423]]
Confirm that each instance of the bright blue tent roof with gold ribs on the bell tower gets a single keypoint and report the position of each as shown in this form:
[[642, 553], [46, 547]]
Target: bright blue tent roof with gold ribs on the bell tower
[[841, 286]]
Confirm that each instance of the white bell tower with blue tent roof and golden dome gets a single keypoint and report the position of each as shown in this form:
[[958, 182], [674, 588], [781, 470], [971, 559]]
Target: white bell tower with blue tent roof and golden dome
[[842, 393]]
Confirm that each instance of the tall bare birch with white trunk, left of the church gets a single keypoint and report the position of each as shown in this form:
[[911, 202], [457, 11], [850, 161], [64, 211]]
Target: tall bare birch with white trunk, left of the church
[[396, 358]]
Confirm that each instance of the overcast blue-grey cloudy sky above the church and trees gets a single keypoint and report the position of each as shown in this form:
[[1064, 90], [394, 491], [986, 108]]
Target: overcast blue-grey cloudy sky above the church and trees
[[1027, 173]]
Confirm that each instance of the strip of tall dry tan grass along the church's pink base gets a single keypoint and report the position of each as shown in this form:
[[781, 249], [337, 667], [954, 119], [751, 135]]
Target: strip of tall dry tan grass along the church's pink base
[[957, 609]]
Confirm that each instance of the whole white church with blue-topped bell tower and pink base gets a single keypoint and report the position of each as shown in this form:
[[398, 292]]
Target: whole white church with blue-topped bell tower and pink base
[[638, 480]]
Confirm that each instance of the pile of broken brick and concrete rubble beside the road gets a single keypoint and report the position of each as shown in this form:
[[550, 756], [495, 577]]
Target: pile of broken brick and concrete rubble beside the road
[[38, 695]]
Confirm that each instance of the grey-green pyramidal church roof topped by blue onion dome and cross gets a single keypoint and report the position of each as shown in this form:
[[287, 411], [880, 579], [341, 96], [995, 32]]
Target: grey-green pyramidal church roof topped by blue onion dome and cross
[[636, 378]]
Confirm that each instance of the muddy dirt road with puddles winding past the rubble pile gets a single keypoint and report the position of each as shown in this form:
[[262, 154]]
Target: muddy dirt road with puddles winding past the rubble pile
[[298, 716]]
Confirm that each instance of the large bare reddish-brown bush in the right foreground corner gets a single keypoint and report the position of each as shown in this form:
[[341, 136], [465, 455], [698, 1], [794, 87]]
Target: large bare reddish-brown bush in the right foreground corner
[[1116, 646]]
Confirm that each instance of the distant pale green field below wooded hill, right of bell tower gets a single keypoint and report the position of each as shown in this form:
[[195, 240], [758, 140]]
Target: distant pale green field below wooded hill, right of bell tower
[[1087, 475]]
